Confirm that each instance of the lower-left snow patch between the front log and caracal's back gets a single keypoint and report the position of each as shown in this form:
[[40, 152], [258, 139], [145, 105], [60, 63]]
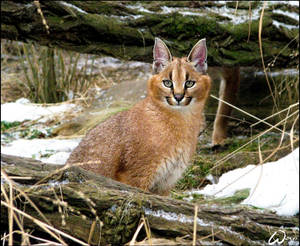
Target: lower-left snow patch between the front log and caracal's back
[[56, 150]]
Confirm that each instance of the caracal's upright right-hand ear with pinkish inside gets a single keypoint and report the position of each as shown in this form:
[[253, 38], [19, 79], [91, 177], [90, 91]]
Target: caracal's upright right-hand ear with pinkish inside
[[198, 56]]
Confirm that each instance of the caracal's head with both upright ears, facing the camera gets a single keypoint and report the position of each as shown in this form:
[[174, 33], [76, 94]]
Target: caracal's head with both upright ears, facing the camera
[[179, 83]]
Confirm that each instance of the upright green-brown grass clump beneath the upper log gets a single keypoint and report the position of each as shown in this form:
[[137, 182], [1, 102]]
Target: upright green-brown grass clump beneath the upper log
[[53, 74]]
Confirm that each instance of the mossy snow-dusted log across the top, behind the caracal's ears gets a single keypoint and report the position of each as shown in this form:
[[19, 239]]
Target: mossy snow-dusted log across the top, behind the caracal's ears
[[126, 30]]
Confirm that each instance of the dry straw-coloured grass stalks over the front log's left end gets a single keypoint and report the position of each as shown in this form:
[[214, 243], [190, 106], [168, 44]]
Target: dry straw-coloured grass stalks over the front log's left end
[[16, 215]]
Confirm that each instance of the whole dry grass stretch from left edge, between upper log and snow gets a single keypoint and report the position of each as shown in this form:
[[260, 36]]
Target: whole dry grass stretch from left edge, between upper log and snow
[[48, 75]]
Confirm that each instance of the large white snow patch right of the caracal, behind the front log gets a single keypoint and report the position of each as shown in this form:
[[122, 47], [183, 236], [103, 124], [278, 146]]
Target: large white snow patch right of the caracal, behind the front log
[[273, 185]]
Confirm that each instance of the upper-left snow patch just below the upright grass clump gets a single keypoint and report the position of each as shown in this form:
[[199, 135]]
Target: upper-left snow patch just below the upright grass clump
[[23, 110]]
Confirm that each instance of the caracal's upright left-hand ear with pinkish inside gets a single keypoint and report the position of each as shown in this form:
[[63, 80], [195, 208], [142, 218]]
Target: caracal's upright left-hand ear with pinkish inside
[[161, 56]]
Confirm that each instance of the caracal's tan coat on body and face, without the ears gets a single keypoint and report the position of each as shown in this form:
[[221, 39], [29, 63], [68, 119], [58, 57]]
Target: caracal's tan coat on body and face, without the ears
[[150, 145]]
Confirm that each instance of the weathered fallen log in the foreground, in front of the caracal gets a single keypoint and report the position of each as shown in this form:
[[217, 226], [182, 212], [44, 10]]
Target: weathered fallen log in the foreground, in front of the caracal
[[95, 209]]
